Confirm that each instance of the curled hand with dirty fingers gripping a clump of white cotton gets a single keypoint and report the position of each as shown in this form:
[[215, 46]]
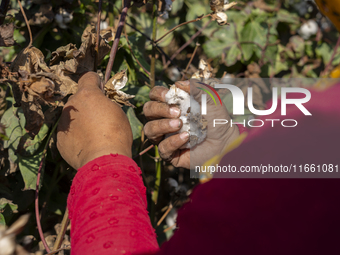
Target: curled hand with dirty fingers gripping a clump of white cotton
[[164, 120]]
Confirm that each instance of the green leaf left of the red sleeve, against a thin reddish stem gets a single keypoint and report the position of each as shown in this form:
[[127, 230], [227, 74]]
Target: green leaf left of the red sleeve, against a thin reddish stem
[[29, 169]]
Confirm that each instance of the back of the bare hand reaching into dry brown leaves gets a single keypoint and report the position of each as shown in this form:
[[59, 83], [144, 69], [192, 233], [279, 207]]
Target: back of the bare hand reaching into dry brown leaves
[[91, 125]]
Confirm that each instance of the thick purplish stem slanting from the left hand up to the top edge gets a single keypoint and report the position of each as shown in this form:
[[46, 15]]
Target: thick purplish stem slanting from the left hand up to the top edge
[[116, 41]]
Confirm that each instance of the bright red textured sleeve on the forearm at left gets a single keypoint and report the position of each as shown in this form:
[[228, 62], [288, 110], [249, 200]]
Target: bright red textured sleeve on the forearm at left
[[108, 209]]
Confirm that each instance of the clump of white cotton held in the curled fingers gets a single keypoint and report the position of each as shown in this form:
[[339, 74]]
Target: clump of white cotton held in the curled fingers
[[193, 123]]
